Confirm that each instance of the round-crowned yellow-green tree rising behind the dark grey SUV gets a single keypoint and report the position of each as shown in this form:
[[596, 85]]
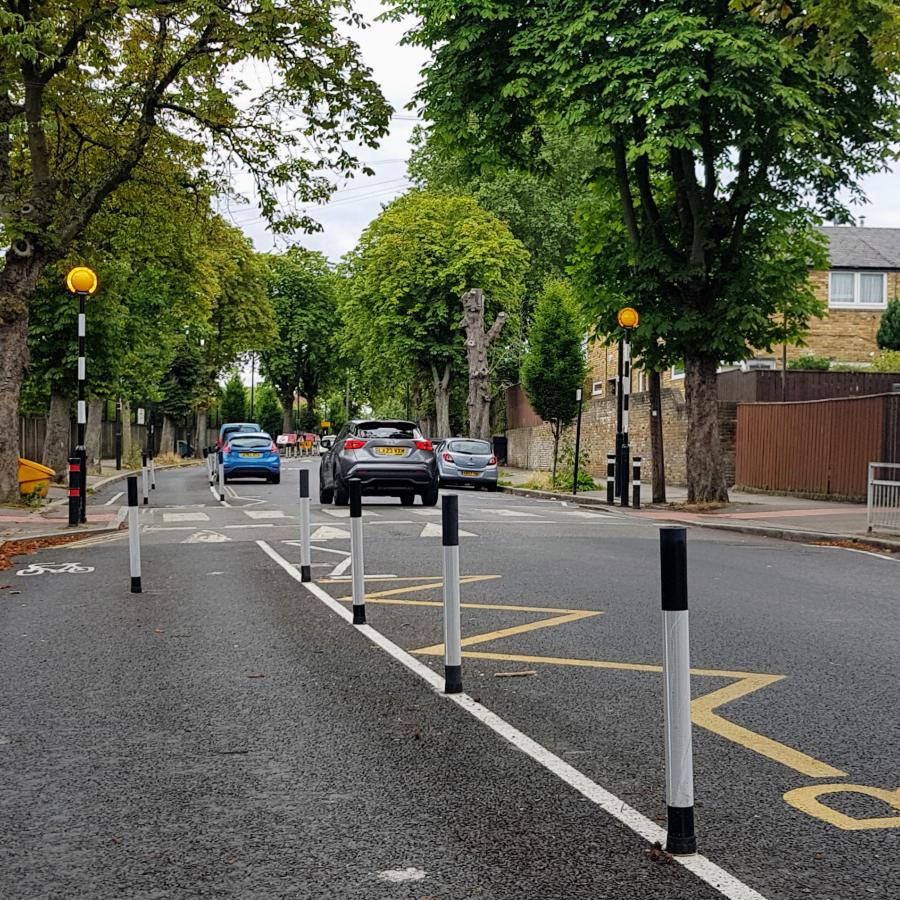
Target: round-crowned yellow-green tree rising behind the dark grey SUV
[[407, 274]]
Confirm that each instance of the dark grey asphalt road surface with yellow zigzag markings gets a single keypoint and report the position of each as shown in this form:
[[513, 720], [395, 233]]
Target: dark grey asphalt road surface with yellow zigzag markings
[[226, 734]]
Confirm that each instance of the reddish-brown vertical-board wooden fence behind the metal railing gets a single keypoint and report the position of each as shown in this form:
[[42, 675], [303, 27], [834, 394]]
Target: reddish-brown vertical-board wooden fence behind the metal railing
[[821, 447]]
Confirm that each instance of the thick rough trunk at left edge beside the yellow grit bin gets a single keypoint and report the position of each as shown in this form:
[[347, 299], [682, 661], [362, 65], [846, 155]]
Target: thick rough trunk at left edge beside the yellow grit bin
[[13, 359]]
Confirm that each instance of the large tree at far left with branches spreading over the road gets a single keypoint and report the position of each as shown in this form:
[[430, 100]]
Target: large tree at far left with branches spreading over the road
[[89, 91]]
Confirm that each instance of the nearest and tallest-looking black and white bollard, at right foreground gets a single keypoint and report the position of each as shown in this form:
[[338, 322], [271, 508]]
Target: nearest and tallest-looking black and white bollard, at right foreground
[[680, 837]]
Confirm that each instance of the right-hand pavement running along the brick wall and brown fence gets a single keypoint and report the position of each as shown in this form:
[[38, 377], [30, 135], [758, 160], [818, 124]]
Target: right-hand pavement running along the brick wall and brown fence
[[770, 515]]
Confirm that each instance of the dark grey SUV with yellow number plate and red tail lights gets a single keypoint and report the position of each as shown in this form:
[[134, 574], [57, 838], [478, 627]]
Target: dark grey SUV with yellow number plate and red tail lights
[[390, 457]]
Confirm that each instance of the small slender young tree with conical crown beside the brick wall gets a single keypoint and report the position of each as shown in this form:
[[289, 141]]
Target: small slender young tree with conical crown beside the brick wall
[[554, 366]]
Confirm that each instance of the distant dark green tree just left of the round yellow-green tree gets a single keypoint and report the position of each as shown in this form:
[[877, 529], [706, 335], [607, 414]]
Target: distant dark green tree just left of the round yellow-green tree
[[304, 350]]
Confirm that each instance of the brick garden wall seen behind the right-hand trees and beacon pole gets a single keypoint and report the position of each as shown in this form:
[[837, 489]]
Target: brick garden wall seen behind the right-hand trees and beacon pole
[[532, 447]]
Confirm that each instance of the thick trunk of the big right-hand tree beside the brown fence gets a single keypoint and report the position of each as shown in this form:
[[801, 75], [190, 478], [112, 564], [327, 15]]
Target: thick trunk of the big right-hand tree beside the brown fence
[[705, 471]]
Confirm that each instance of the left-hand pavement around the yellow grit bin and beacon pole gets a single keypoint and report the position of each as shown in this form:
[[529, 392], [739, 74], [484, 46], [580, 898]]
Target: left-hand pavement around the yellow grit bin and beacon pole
[[51, 518]]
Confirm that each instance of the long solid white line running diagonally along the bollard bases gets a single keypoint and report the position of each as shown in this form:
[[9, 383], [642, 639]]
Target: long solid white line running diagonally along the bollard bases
[[699, 865]]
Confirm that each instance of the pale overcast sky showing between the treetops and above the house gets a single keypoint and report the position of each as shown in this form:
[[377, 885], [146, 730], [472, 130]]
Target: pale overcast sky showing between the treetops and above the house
[[356, 203]]
